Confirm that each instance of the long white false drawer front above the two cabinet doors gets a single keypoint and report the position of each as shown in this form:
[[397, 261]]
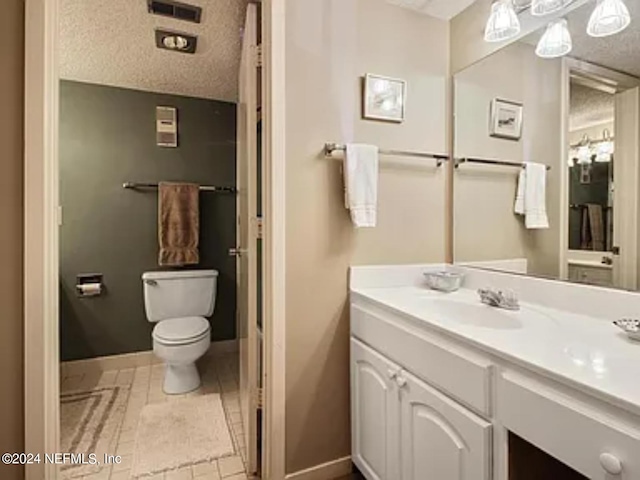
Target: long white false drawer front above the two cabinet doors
[[441, 362]]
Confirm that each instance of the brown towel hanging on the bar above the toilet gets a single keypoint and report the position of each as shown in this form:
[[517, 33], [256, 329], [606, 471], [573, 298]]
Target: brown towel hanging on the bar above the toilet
[[178, 224]]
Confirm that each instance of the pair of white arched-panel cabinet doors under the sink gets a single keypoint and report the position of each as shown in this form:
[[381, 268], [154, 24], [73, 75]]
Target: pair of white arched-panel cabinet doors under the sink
[[402, 428]]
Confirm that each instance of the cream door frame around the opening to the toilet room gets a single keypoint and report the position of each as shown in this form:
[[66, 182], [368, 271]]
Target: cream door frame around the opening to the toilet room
[[42, 245]]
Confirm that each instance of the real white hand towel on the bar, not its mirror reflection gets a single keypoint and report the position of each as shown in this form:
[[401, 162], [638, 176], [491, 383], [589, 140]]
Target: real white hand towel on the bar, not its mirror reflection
[[361, 184]]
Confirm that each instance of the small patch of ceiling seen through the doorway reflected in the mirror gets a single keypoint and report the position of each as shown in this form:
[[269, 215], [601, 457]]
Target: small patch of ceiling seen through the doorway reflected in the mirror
[[589, 107]]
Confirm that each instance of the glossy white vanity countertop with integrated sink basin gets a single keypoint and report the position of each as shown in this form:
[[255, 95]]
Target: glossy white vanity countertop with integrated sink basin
[[578, 350]]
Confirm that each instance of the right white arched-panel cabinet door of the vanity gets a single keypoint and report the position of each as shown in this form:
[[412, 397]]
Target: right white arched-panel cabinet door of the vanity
[[440, 438]]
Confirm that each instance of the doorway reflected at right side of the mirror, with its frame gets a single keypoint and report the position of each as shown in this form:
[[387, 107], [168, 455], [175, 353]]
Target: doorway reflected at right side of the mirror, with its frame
[[599, 210]]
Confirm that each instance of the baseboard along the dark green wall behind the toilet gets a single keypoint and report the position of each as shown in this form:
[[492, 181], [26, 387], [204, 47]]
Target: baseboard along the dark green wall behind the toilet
[[133, 360]]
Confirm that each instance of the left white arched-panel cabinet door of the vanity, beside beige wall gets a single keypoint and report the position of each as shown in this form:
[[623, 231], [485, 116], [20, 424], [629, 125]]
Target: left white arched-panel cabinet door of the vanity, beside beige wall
[[375, 414]]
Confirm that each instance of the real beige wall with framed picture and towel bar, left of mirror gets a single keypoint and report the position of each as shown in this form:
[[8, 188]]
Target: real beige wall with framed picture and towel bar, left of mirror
[[330, 45]]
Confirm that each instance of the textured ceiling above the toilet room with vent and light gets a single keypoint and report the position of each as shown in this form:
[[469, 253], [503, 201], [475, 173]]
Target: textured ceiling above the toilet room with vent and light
[[112, 43]]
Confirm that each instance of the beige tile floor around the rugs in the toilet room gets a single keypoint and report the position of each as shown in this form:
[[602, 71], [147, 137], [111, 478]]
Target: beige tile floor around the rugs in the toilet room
[[219, 375]]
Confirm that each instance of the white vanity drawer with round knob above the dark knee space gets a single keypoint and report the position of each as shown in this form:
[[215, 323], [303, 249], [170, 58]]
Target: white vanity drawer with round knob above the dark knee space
[[568, 428]]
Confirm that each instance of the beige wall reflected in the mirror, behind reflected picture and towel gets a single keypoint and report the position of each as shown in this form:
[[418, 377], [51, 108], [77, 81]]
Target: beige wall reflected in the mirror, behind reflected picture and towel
[[486, 227]]
